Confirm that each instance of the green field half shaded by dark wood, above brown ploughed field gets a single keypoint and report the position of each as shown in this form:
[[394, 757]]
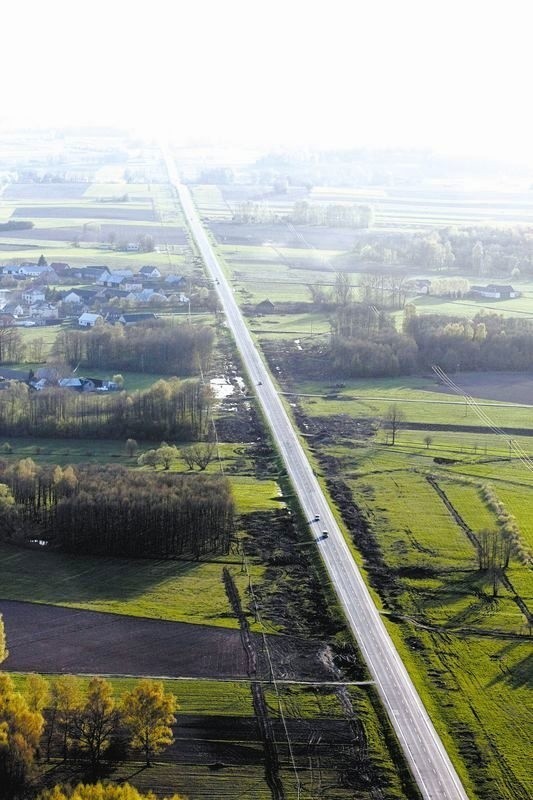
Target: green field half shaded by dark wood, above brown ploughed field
[[178, 591]]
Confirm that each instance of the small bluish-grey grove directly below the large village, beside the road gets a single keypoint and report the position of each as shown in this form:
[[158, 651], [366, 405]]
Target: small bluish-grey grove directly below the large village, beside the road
[[155, 346]]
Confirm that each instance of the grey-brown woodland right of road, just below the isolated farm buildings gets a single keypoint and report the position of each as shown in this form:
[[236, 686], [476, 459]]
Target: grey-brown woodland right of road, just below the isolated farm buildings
[[365, 344]]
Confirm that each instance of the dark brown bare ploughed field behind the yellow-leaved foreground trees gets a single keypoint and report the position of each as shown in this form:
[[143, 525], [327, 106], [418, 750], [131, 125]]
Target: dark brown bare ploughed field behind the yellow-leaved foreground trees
[[55, 639]]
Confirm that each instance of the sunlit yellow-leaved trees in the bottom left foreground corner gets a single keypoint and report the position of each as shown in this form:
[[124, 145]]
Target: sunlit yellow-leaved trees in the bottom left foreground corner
[[57, 719]]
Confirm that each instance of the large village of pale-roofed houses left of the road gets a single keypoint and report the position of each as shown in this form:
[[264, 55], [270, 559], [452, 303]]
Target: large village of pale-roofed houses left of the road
[[98, 293]]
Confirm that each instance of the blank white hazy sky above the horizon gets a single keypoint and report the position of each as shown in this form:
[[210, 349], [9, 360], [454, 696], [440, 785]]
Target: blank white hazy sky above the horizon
[[455, 76]]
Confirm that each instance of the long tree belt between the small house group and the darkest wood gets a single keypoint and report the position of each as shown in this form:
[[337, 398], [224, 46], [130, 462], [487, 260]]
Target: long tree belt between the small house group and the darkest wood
[[168, 409]]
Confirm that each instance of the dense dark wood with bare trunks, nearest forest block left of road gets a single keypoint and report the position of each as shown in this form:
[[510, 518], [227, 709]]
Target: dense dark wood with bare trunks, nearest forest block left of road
[[108, 510]]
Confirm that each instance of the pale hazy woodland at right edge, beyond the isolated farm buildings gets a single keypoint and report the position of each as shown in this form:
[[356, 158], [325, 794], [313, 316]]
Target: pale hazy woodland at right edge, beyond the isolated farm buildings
[[475, 250]]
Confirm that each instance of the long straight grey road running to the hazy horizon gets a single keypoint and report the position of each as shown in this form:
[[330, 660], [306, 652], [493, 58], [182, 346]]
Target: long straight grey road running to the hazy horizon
[[425, 753]]
